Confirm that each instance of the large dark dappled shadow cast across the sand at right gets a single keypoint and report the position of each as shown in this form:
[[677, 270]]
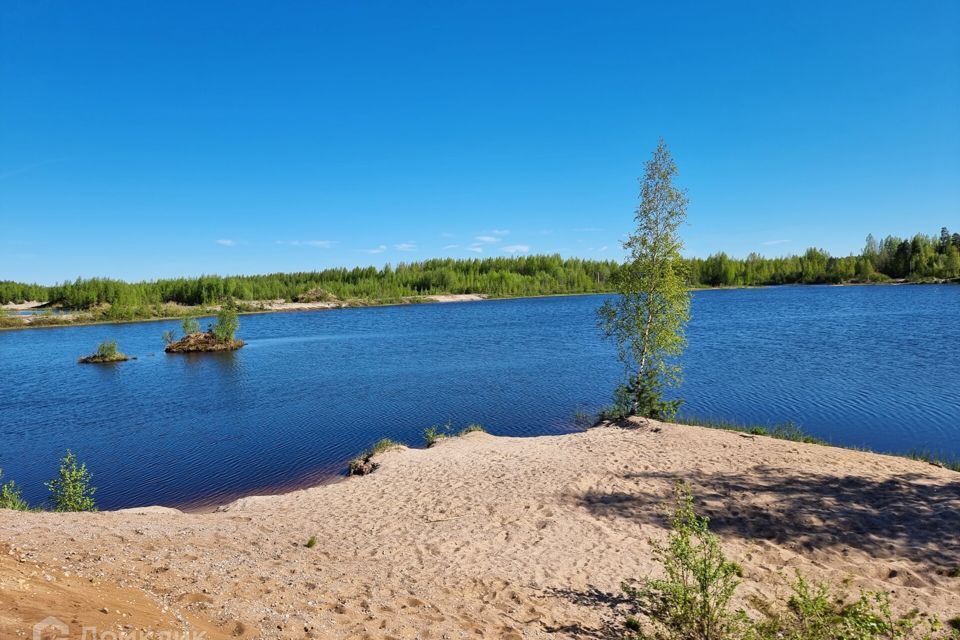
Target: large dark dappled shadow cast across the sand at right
[[913, 516]]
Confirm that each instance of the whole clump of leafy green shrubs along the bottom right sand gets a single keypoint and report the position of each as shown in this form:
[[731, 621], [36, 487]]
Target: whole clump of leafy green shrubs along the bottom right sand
[[692, 601]]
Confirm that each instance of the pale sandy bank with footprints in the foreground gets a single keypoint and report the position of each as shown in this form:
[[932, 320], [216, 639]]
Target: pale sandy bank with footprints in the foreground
[[494, 537]]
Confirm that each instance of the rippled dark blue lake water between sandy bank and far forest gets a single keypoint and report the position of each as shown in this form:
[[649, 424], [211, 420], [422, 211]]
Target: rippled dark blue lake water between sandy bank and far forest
[[871, 366]]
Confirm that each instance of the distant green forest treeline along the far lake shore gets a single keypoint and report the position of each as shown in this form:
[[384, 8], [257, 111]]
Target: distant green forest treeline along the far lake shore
[[918, 258]]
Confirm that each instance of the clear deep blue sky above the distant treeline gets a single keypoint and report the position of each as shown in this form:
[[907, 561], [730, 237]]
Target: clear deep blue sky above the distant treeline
[[142, 140]]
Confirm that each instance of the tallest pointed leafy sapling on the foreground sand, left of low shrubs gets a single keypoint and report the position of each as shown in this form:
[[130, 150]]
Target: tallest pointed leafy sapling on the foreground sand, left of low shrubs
[[692, 601]]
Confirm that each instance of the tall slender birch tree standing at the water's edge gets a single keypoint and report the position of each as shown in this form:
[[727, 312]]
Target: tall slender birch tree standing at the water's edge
[[647, 319]]
